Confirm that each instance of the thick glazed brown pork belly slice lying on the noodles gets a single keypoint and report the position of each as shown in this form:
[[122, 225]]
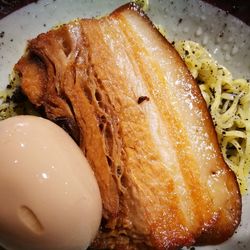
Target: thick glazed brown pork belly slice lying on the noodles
[[124, 94]]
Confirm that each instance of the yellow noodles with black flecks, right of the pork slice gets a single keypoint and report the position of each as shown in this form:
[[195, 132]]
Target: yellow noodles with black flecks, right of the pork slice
[[229, 103]]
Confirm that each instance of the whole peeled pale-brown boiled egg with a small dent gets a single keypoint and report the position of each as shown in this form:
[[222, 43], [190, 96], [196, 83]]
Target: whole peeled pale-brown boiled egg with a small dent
[[49, 195]]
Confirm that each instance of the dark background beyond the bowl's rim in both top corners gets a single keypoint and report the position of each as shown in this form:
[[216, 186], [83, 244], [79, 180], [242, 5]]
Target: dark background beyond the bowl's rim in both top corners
[[238, 8]]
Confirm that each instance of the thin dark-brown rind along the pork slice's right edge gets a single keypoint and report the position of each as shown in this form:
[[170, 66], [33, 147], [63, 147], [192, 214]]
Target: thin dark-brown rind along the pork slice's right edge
[[208, 236]]
